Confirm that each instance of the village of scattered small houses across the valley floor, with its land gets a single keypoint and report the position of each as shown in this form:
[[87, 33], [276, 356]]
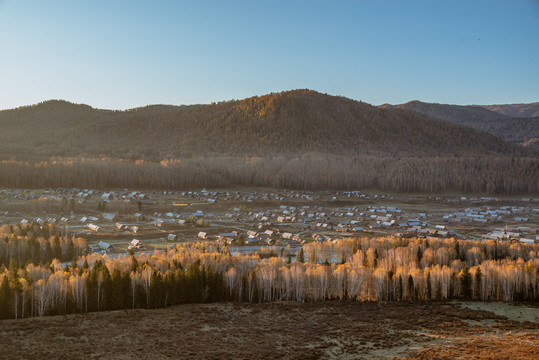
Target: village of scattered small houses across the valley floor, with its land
[[247, 219]]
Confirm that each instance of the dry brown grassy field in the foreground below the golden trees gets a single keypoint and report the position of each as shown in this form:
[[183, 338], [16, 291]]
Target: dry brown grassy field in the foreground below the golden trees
[[282, 331]]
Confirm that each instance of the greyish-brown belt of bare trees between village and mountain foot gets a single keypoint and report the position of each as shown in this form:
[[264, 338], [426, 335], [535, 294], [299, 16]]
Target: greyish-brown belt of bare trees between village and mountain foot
[[309, 171]]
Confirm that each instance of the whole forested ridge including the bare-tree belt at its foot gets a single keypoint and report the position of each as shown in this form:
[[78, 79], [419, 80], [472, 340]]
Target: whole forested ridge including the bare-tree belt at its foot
[[297, 139]]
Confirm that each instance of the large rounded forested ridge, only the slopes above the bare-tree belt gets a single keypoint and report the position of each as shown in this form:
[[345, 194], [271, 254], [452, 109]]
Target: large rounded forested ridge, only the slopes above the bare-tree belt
[[293, 122]]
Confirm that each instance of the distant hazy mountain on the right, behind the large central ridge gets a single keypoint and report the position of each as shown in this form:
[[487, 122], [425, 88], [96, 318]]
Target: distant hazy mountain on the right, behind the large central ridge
[[518, 130]]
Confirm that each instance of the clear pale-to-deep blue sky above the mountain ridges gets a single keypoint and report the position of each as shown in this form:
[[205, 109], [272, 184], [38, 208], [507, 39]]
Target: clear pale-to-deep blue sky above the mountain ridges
[[122, 54]]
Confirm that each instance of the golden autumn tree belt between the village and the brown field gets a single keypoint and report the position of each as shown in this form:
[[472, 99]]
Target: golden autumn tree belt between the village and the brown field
[[382, 269]]
